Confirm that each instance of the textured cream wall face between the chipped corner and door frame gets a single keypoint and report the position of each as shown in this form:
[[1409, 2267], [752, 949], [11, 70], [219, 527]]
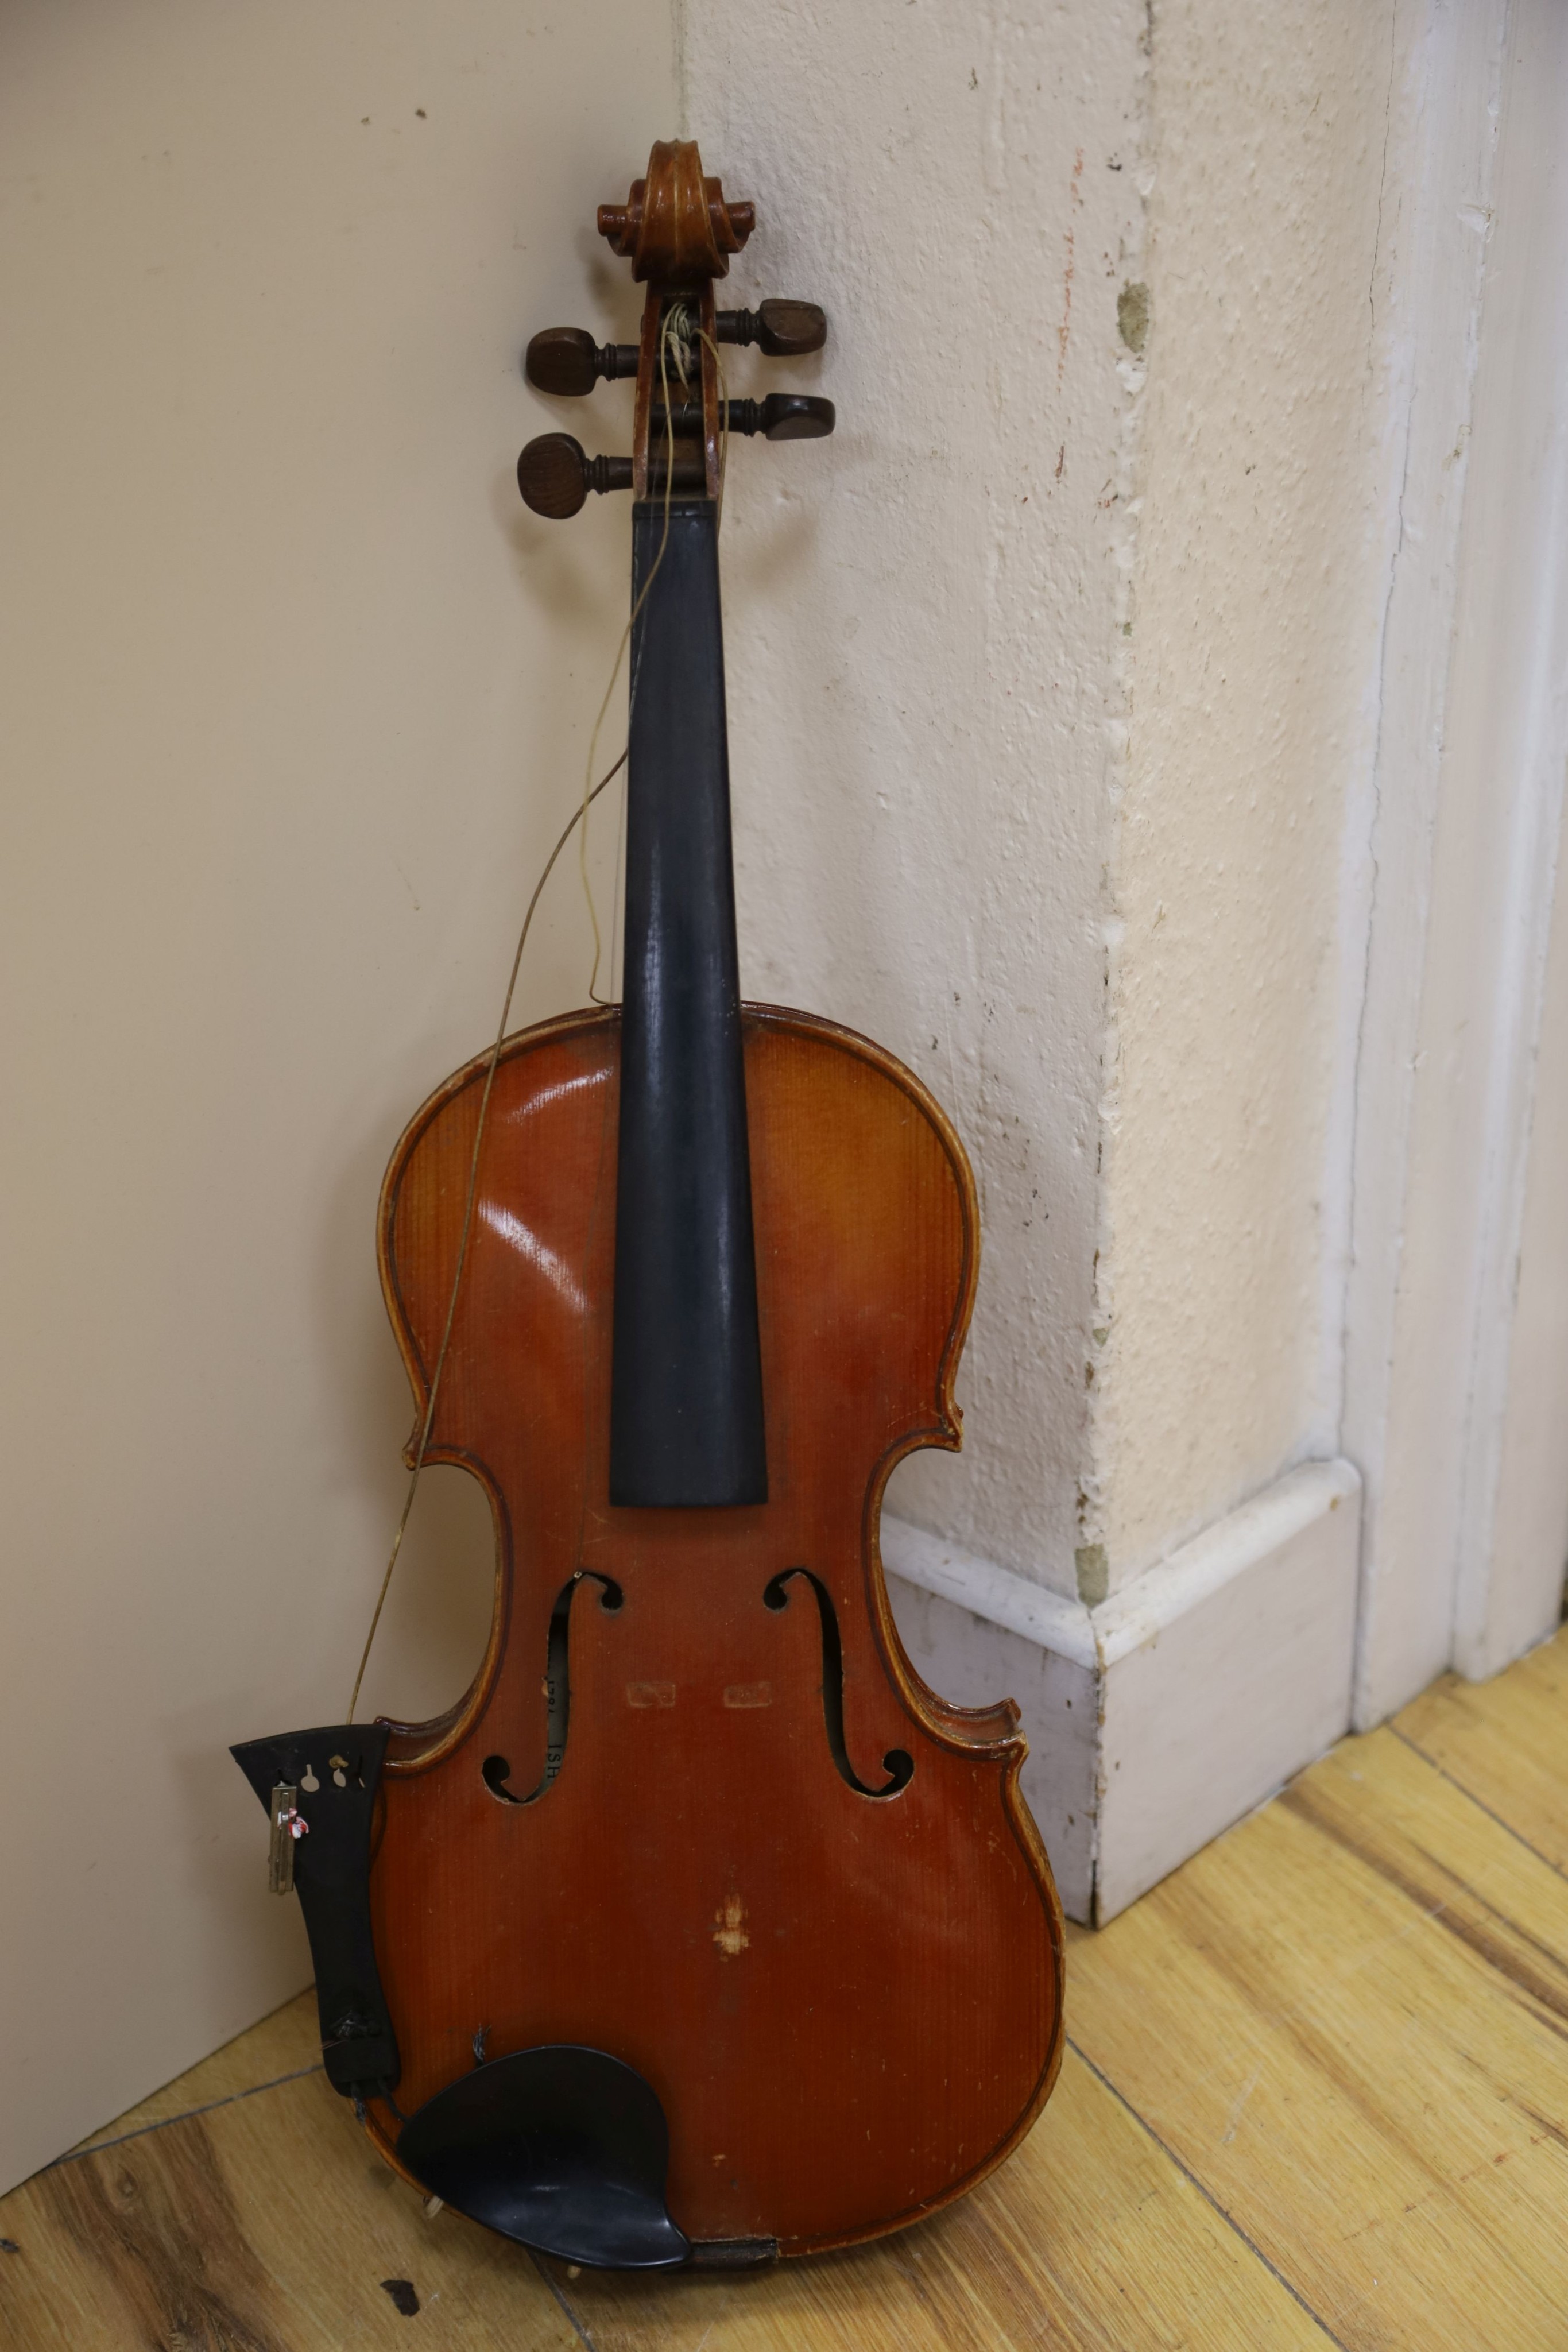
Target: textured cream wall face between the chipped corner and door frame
[[1252, 697]]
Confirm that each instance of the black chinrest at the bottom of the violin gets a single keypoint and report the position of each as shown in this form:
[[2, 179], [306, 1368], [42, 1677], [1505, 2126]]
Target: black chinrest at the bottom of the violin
[[561, 2149]]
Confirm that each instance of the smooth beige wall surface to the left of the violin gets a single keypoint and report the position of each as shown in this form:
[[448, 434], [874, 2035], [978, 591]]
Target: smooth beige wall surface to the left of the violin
[[295, 695]]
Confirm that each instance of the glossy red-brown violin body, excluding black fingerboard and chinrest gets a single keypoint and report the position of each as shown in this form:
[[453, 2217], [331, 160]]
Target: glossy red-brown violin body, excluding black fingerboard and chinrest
[[850, 2005]]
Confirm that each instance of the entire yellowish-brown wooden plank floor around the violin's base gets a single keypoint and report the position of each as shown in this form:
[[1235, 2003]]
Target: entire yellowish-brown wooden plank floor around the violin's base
[[1318, 2092]]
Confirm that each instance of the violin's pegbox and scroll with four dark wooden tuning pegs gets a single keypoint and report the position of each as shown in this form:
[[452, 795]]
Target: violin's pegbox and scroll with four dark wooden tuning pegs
[[676, 439]]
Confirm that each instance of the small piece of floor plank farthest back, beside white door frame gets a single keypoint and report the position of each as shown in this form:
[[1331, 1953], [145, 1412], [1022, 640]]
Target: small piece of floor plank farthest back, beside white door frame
[[1506, 1742]]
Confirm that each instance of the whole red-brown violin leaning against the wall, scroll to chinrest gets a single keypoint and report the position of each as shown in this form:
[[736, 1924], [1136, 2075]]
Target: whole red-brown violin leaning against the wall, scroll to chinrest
[[699, 1930]]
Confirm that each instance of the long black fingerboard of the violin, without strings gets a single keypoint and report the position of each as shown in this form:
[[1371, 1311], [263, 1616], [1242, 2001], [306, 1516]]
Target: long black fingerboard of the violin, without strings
[[688, 1365]]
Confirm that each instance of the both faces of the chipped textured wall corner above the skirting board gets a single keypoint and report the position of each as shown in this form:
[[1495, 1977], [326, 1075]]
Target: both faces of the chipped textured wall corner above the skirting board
[[1052, 686]]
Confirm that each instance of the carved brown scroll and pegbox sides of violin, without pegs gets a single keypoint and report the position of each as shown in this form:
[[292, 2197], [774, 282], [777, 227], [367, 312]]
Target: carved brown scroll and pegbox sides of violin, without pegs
[[678, 234]]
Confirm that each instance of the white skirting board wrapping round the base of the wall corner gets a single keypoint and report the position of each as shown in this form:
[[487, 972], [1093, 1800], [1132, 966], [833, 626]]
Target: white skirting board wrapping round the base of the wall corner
[[1179, 1704]]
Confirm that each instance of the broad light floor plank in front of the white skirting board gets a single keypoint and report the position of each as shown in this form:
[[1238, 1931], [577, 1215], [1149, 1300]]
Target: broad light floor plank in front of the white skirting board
[[1351, 2022]]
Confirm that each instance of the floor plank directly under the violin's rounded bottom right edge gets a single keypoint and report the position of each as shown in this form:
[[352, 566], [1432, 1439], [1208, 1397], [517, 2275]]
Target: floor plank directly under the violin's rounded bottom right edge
[[1090, 2238]]
